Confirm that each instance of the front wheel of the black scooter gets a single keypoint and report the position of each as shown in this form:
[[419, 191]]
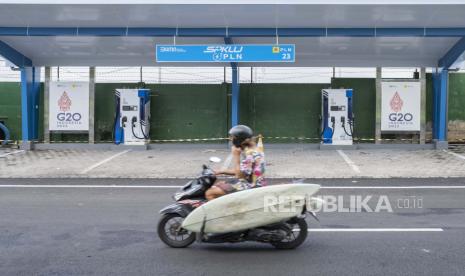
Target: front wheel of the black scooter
[[171, 233]]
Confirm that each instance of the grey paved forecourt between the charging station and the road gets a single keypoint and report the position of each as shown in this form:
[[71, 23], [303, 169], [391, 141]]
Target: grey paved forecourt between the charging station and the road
[[184, 161]]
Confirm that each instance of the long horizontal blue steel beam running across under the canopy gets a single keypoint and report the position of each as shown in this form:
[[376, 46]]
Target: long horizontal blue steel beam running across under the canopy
[[233, 32]]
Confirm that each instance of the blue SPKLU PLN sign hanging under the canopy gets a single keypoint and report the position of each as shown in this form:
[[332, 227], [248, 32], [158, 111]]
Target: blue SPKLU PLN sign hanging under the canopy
[[226, 53]]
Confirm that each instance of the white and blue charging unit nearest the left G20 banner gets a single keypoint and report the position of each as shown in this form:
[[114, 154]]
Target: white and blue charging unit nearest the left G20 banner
[[132, 120]]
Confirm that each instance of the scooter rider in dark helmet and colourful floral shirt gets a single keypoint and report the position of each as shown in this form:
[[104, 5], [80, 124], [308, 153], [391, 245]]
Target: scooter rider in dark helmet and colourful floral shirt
[[248, 165]]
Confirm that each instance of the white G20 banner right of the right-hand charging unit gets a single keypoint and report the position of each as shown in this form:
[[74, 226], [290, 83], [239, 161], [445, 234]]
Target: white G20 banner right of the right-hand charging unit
[[400, 106]]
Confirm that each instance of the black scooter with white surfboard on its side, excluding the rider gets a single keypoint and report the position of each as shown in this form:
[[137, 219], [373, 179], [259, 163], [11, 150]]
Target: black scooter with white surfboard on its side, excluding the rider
[[272, 214]]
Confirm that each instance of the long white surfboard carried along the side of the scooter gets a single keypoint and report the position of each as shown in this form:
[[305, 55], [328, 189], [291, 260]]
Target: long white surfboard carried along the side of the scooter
[[250, 208]]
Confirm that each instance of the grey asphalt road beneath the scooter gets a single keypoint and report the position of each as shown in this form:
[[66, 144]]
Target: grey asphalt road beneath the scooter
[[99, 230]]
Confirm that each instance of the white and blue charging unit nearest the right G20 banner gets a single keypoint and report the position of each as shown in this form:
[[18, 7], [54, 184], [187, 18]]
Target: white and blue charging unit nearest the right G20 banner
[[337, 117]]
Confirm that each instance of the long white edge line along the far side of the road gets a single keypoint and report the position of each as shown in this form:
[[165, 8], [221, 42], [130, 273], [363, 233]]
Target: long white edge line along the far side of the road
[[177, 186]]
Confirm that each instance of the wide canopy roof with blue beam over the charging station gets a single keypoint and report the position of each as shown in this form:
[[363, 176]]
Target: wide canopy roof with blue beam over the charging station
[[325, 33]]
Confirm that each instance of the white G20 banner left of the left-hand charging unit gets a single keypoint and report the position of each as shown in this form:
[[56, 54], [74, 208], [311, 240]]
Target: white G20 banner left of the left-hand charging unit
[[69, 106]]
